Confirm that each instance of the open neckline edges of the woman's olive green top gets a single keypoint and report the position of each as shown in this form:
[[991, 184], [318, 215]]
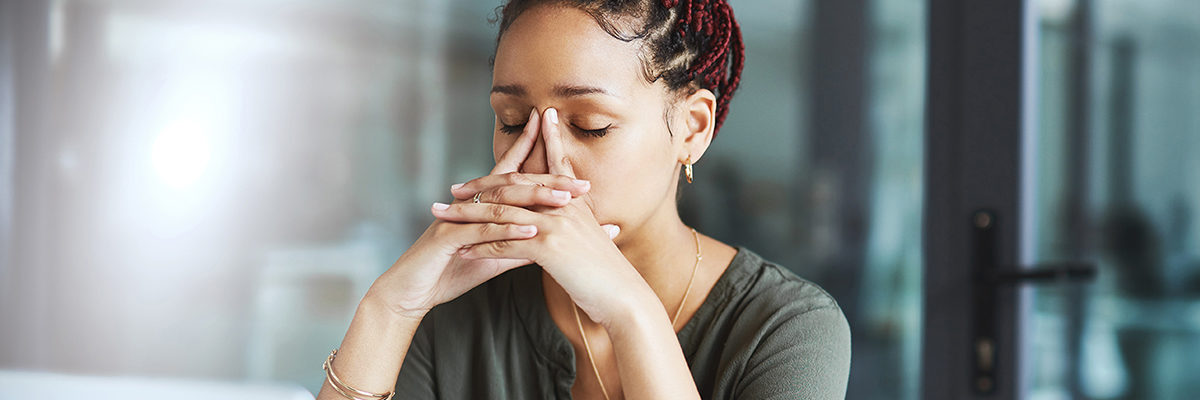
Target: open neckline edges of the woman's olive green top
[[551, 344]]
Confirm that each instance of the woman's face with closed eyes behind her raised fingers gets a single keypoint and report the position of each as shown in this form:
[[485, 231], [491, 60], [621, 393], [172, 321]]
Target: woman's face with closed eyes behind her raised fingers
[[611, 117]]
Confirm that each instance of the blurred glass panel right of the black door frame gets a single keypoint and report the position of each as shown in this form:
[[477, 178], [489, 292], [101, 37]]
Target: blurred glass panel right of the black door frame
[[1119, 184]]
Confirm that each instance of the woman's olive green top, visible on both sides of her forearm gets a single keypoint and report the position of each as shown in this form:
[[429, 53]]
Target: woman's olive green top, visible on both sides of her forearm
[[763, 333]]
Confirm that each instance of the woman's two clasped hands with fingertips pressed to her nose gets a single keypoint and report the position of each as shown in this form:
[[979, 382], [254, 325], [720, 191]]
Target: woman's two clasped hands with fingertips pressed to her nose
[[545, 219]]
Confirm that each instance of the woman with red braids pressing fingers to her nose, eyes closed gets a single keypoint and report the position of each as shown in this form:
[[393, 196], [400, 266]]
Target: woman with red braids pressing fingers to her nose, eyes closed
[[567, 272]]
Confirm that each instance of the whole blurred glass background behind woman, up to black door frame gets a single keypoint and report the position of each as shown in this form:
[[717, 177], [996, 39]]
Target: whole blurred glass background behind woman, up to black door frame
[[205, 190]]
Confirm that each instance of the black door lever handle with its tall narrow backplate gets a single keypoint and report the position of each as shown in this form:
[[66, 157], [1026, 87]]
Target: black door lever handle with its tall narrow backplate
[[991, 278]]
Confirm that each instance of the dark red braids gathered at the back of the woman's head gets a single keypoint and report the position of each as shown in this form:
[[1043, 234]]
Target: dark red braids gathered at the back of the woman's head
[[722, 53]]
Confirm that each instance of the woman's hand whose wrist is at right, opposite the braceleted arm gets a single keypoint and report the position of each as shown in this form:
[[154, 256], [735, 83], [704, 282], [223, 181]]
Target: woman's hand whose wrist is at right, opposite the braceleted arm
[[571, 244]]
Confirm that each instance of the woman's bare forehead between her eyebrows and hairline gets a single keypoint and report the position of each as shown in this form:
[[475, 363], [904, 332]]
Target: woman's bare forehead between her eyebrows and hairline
[[550, 46]]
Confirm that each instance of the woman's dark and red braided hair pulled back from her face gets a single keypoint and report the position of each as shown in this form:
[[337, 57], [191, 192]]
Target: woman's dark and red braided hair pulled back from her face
[[688, 44]]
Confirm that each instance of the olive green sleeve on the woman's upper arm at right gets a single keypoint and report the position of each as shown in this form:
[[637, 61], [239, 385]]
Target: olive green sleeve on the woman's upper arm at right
[[806, 356]]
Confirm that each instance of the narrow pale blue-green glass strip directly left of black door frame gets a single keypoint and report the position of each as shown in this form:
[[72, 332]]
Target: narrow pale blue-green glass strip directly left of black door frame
[[892, 283]]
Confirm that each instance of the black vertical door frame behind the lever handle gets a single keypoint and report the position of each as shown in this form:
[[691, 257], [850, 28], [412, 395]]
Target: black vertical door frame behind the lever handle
[[981, 110]]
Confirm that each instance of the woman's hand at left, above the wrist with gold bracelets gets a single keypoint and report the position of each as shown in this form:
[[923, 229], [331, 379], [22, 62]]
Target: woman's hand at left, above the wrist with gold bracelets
[[431, 272]]
